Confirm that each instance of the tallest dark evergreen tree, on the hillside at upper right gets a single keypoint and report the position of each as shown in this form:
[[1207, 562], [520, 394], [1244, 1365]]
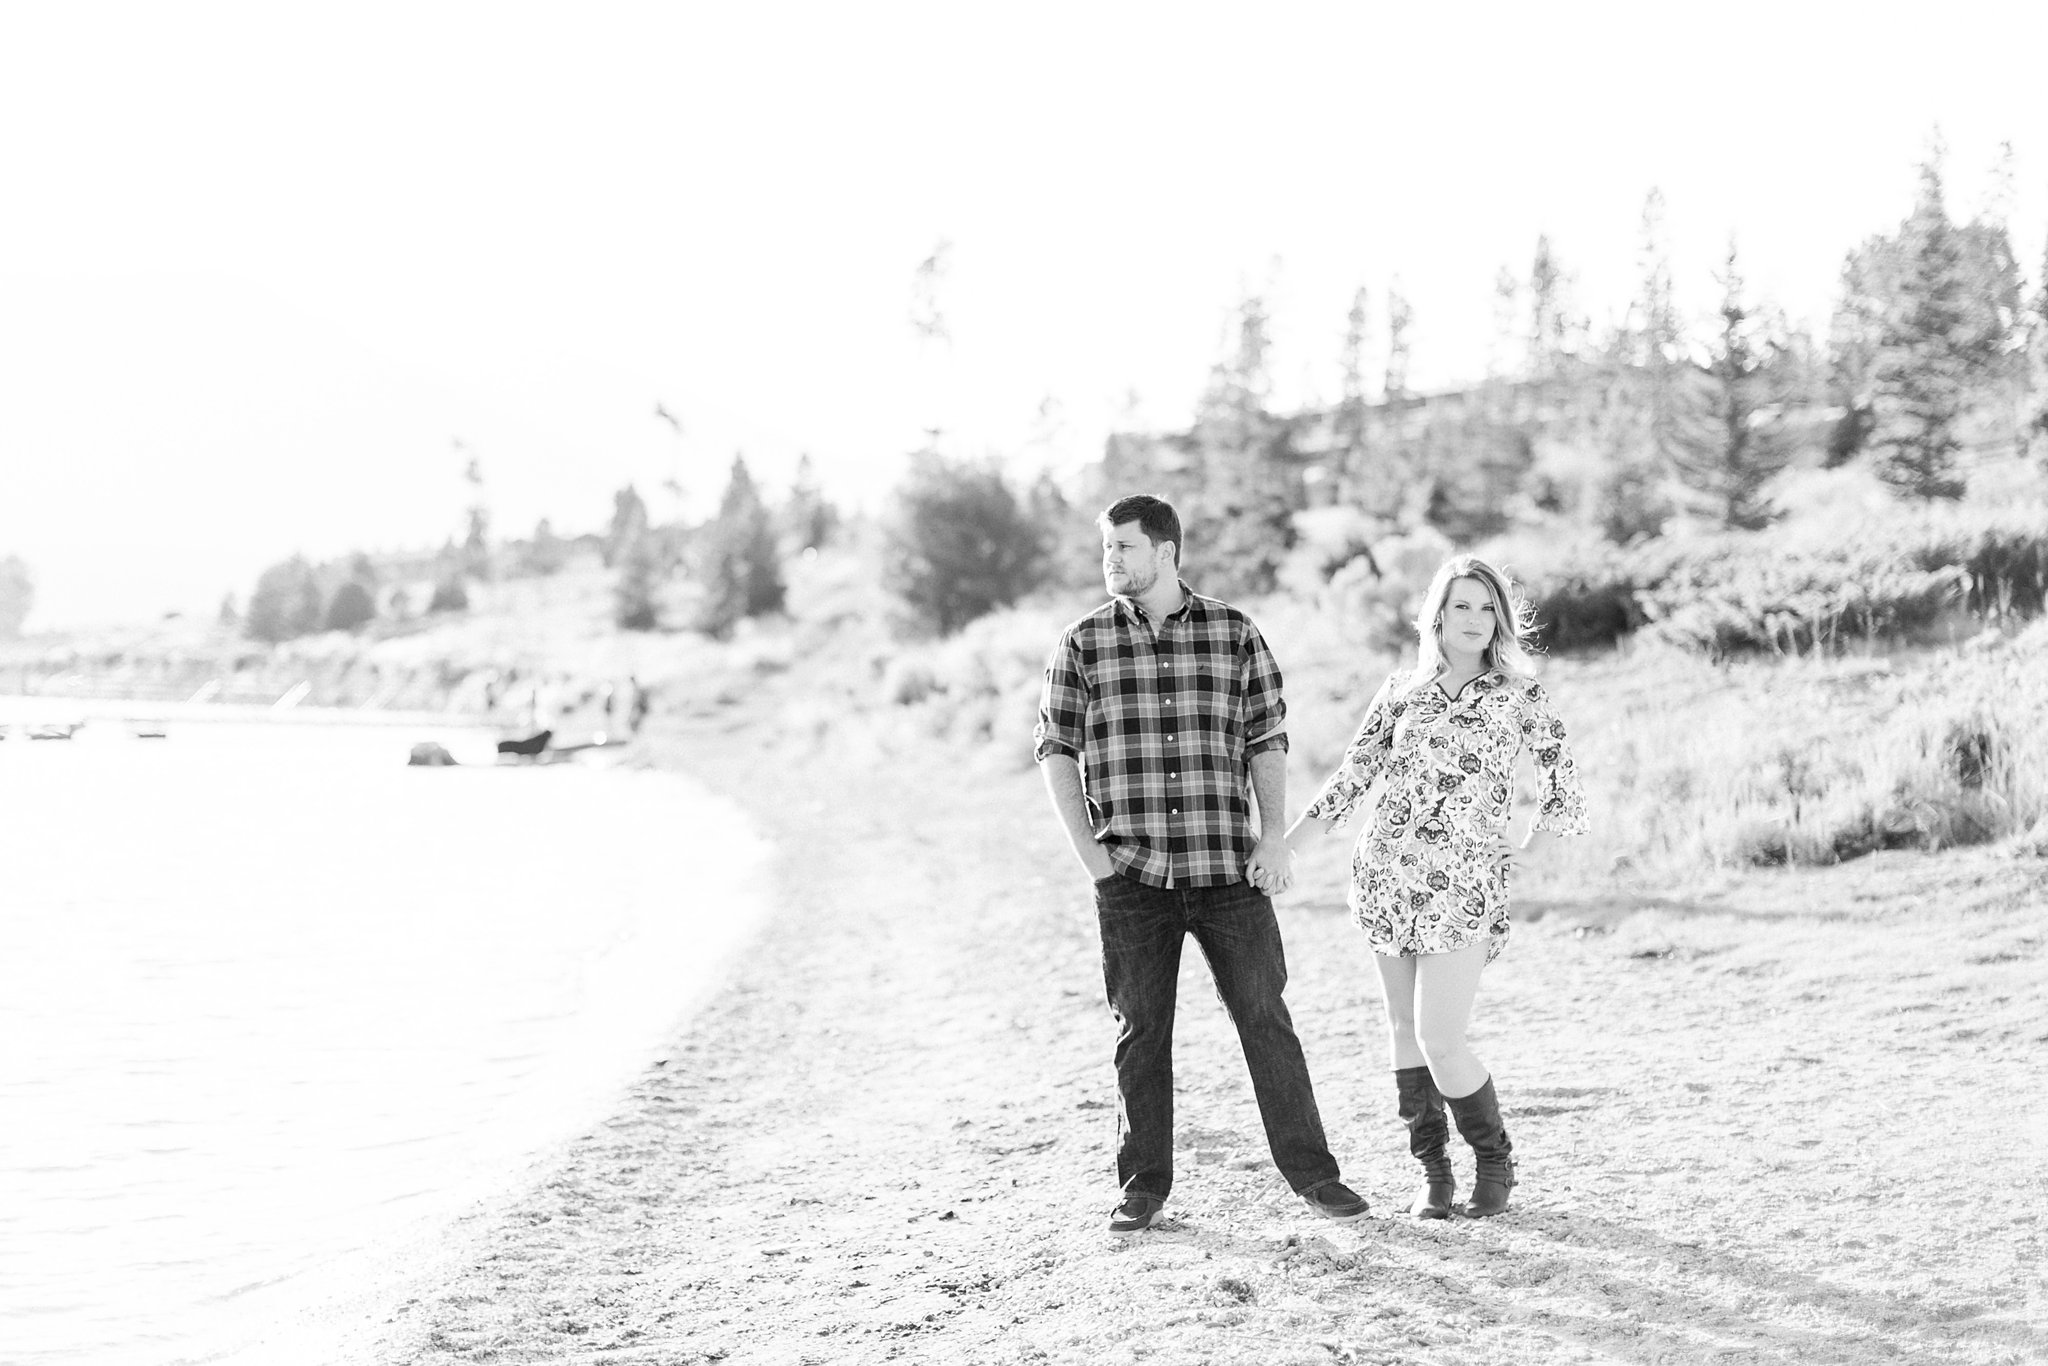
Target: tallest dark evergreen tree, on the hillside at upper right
[[1924, 366]]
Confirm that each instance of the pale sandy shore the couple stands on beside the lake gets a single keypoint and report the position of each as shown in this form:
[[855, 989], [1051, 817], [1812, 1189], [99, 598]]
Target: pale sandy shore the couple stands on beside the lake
[[1781, 1117]]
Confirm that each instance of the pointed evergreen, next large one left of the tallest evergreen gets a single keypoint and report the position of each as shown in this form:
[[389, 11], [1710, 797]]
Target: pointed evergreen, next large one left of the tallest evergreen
[[1742, 447]]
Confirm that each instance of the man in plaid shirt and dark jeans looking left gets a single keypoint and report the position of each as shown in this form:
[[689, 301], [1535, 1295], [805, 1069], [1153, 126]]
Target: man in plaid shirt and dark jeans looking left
[[1156, 706]]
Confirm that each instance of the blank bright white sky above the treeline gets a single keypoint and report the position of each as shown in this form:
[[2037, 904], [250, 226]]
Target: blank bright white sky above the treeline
[[261, 267]]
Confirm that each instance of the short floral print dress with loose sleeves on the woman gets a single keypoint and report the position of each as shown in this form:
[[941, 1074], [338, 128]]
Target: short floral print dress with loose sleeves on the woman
[[1422, 878]]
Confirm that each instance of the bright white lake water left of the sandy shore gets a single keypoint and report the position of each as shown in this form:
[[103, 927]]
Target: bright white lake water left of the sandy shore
[[275, 1005]]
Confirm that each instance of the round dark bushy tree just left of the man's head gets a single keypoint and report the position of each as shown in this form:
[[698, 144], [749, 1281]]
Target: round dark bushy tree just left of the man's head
[[959, 544]]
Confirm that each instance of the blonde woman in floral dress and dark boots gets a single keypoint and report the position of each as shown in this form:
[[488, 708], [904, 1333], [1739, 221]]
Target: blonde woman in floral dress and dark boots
[[1431, 876]]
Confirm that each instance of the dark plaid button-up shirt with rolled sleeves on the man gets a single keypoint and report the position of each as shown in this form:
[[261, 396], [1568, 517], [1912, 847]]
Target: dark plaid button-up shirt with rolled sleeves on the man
[[1164, 726]]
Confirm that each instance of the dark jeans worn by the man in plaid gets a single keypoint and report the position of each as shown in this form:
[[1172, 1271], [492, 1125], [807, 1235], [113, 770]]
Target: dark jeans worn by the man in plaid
[[1142, 937]]
